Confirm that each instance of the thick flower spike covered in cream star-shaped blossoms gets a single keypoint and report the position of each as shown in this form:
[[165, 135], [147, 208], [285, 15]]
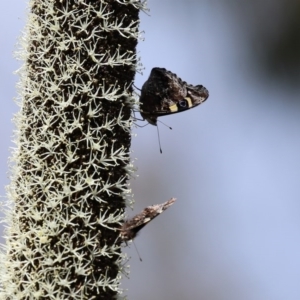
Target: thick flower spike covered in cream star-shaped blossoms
[[71, 164]]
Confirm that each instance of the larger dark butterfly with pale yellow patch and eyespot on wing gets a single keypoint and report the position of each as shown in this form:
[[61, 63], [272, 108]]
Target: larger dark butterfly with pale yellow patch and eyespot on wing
[[164, 93]]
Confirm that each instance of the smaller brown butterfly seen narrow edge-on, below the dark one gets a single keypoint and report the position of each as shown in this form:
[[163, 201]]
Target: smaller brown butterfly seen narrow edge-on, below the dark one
[[131, 227]]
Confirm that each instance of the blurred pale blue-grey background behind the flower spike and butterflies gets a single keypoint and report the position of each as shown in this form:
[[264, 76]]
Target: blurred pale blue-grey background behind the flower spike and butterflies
[[232, 163]]
